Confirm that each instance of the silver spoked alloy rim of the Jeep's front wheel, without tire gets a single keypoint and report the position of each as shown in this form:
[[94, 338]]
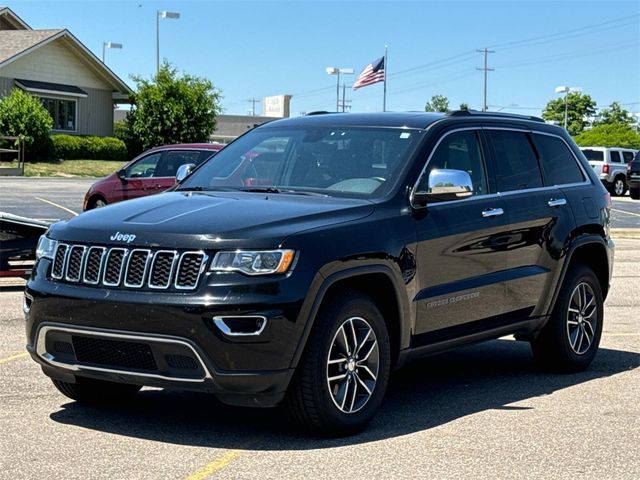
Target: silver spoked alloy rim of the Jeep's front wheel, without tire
[[352, 365]]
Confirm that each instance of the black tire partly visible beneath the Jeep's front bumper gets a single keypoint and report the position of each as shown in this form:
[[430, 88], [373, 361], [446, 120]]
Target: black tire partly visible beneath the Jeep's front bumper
[[87, 390]]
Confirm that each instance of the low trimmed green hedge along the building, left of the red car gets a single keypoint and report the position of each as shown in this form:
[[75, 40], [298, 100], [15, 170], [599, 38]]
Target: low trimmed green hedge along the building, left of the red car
[[76, 147]]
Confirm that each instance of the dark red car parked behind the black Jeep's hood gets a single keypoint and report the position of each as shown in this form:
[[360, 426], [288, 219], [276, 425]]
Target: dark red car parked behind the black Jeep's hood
[[151, 172]]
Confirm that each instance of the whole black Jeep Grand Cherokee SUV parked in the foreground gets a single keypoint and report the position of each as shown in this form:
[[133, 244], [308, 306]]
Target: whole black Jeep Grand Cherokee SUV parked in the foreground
[[312, 256]]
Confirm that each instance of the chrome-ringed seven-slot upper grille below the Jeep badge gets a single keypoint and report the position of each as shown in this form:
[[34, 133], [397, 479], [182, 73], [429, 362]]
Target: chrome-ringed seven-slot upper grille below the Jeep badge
[[128, 268]]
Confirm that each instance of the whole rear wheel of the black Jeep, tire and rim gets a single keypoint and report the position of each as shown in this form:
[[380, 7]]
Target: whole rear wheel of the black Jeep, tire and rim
[[569, 341]]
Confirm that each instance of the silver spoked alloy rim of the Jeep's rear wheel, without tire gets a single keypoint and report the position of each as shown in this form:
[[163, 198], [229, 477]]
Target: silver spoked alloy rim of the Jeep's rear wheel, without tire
[[582, 318]]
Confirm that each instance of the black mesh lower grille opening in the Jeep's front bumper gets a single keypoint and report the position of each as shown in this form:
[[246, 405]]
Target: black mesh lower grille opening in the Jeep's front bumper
[[114, 353]]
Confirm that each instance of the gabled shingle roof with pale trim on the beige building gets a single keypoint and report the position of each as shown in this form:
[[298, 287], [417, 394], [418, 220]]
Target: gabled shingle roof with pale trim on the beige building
[[14, 44]]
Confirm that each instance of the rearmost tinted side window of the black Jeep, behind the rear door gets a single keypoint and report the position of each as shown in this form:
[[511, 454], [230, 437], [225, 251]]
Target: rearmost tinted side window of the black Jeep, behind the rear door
[[558, 164]]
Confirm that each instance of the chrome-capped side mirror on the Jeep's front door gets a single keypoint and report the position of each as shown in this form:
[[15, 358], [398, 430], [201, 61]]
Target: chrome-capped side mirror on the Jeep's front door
[[444, 185]]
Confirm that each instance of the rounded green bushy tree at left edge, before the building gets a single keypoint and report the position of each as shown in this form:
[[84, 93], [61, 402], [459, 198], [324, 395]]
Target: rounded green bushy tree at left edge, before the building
[[22, 115]]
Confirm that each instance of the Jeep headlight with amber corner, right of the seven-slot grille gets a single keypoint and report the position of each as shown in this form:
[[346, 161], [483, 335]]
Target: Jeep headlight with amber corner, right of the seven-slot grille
[[263, 262]]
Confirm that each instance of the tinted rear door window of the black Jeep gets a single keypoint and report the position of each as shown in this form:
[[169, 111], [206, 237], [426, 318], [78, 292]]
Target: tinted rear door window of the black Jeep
[[516, 163]]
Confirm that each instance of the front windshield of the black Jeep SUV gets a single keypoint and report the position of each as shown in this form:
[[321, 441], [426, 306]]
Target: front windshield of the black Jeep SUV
[[344, 161]]
